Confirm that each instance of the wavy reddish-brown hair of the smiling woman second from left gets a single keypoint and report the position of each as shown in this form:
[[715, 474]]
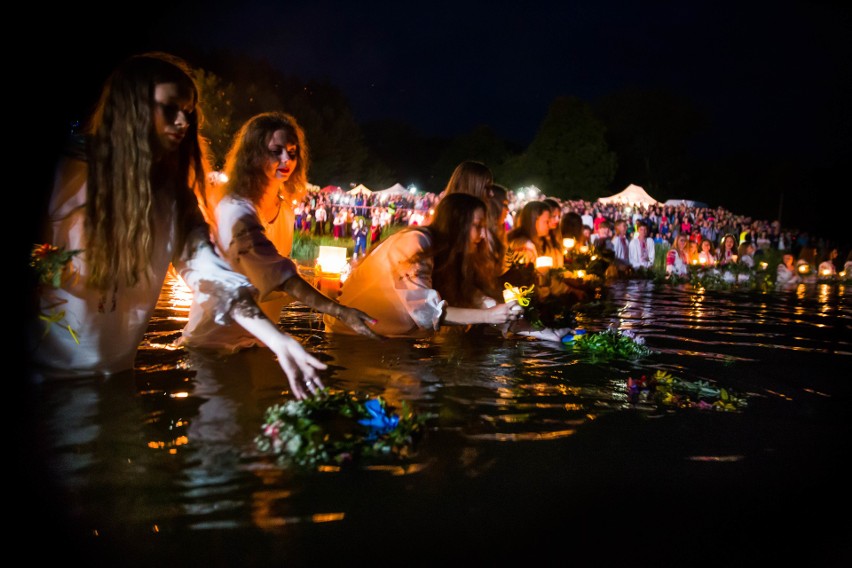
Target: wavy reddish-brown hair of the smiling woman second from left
[[245, 163]]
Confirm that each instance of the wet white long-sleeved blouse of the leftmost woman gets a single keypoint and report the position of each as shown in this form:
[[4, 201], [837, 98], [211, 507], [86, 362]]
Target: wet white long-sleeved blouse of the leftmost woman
[[110, 326]]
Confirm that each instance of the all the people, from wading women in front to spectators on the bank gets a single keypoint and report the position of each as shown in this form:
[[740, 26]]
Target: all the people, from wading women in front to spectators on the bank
[[134, 196]]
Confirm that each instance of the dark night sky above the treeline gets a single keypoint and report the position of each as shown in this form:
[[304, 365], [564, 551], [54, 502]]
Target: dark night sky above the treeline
[[774, 80]]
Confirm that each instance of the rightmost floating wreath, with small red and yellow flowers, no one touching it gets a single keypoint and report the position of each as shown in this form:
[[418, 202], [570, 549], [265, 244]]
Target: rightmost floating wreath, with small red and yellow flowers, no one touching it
[[666, 390]]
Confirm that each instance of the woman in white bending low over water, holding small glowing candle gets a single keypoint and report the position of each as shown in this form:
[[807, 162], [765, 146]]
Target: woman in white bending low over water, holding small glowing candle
[[423, 278]]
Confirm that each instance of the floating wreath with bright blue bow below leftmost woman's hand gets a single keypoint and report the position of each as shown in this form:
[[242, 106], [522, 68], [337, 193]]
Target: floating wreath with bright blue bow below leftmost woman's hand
[[338, 429]]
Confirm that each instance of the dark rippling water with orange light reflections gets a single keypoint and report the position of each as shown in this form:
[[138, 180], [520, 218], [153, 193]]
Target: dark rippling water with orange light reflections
[[535, 454]]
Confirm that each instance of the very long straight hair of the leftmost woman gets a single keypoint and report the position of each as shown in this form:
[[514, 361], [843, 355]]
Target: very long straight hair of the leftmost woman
[[127, 176]]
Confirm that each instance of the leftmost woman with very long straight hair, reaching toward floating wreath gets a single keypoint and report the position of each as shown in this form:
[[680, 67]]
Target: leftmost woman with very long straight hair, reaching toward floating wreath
[[128, 199]]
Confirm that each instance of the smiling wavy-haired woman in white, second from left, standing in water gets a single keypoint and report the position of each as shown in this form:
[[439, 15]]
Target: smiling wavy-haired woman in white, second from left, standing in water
[[267, 172]]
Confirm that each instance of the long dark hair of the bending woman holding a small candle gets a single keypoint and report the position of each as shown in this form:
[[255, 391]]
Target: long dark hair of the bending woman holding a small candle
[[458, 273]]
